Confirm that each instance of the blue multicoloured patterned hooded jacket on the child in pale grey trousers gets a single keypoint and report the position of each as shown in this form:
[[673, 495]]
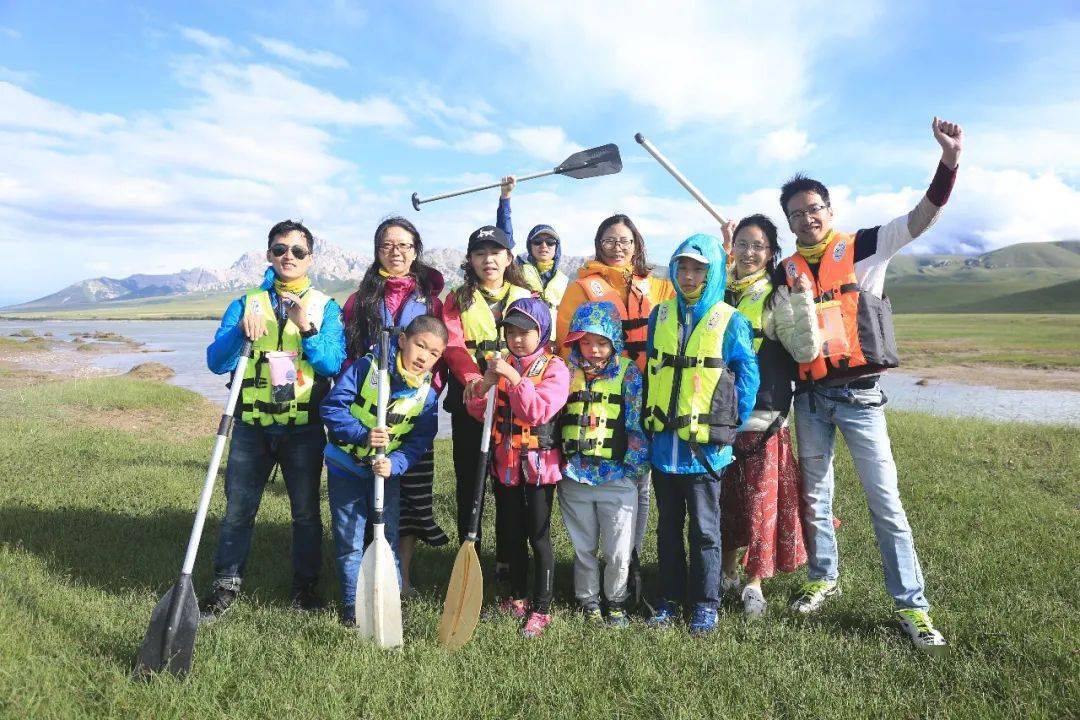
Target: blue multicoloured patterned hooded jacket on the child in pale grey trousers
[[603, 319]]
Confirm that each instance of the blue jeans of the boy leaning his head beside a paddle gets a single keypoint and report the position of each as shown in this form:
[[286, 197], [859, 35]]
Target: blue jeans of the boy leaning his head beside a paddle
[[352, 498]]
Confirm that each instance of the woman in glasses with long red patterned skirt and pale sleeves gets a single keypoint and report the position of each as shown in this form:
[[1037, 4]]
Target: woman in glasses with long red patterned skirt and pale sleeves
[[760, 508]]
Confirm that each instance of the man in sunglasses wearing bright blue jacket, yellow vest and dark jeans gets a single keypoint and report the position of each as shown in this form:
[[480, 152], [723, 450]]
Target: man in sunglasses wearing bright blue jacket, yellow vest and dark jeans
[[299, 344]]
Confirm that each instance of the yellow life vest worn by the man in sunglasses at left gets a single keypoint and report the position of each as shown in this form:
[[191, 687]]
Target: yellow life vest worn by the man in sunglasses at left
[[256, 404]]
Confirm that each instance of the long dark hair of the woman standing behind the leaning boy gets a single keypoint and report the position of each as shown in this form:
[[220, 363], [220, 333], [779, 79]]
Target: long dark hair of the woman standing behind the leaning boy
[[368, 319]]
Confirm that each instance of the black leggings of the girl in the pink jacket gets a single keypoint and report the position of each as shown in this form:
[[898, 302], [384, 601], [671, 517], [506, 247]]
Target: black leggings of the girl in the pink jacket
[[524, 512]]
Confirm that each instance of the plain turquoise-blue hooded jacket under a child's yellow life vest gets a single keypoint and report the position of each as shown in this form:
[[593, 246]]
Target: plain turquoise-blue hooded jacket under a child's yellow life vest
[[670, 454]]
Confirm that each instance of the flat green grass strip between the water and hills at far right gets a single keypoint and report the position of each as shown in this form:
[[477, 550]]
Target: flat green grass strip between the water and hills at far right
[[1044, 342]]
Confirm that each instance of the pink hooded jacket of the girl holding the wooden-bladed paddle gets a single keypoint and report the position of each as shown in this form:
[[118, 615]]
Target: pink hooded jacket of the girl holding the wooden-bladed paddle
[[533, 404]]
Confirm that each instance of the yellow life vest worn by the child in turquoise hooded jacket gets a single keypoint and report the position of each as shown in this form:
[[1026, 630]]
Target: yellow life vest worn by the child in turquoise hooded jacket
[[691, 390]]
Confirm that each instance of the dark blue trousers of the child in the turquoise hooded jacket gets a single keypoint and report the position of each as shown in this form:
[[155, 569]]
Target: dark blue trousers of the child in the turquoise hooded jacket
[[699, 497]]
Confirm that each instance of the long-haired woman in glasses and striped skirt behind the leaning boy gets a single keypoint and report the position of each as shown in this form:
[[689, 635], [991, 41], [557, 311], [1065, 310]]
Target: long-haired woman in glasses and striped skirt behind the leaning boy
[[399, 287]]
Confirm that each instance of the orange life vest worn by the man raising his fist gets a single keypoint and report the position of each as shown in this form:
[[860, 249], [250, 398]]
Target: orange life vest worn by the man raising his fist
[[857, 328]]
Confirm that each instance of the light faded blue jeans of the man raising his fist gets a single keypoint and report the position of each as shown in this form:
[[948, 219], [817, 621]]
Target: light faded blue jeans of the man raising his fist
[[859, 416]]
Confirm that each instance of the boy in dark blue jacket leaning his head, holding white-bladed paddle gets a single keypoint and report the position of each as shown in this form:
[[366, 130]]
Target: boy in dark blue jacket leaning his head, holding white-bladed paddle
[[349, 413]]
